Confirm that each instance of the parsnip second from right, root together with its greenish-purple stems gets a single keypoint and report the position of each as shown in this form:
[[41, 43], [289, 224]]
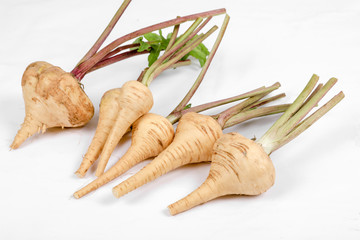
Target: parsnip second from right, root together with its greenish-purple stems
[[194, 138]]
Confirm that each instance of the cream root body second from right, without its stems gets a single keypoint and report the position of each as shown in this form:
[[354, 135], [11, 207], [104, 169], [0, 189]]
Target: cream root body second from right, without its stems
[[194, 139]]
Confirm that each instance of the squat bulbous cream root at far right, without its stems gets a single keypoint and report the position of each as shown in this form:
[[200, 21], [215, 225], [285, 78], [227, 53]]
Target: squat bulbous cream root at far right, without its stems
[[238, 166]]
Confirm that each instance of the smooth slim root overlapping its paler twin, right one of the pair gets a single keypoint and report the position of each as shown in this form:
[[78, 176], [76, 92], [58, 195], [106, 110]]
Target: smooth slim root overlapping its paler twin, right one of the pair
[[134, 101]]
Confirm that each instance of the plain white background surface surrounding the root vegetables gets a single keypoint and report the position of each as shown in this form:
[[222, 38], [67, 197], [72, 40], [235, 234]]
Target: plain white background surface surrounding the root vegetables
[[316, 193]]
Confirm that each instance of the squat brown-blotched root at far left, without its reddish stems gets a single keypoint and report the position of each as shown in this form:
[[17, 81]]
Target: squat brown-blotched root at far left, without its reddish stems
[[53, 98]]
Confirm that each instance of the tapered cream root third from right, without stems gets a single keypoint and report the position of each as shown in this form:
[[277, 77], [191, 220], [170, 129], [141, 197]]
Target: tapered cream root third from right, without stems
[[151, 134]]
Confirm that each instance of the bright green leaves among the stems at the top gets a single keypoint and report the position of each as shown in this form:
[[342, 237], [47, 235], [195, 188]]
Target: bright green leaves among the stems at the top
[[157, 42]]
